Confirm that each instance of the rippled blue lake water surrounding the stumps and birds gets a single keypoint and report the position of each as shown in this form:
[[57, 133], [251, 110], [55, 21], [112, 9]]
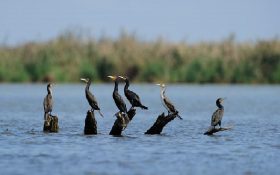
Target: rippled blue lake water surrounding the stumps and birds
[[252, 147]]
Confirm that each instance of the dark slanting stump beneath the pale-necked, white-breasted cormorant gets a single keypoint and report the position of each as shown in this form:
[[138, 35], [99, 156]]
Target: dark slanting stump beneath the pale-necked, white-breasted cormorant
[[160, 123]]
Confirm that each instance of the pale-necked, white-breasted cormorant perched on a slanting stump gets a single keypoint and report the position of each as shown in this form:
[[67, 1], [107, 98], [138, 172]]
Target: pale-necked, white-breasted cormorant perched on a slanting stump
[[166, 102]]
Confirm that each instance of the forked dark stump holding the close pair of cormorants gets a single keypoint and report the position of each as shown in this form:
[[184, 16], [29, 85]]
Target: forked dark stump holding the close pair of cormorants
[[122, 121]]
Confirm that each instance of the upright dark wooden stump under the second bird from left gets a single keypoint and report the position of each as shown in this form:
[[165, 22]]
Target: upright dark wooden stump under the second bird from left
[[90, 124]]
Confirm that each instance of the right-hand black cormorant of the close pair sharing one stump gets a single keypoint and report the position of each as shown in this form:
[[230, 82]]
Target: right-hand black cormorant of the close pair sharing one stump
[[132, 97]]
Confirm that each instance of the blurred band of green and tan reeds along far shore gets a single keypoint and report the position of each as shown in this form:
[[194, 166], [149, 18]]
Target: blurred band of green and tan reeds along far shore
[[70, 56]]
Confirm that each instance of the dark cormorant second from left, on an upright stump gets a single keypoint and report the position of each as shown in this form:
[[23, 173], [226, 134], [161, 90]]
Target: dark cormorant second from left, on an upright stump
[[90, 97]]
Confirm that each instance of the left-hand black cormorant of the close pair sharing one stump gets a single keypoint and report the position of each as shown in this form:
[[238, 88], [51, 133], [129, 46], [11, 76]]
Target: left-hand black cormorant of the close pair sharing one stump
[[116, 96]]
